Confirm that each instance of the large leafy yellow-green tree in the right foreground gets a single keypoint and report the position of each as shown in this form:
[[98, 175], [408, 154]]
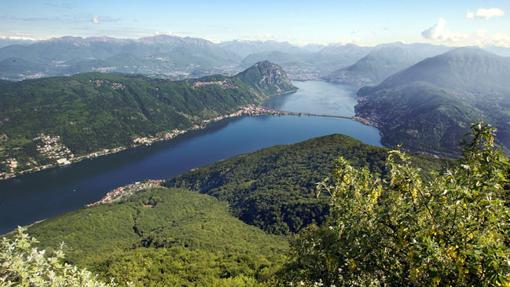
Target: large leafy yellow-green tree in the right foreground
[[448, 228]]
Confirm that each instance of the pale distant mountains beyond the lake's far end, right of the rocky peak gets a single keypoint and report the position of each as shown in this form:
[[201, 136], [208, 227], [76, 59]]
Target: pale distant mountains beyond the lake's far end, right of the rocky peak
[[305, 64]]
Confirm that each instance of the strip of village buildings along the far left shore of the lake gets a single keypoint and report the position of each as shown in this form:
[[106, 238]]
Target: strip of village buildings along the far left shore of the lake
[[52, 148]]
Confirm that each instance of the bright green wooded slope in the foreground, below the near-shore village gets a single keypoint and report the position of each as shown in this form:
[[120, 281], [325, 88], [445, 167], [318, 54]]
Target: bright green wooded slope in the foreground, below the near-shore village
[[164, 237]]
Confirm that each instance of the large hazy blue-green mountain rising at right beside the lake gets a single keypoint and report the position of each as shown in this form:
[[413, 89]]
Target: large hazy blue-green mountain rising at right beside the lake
[[430, 106]]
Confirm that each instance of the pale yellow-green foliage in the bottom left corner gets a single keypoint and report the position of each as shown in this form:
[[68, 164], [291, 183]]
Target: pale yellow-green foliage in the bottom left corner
[[21, 264]]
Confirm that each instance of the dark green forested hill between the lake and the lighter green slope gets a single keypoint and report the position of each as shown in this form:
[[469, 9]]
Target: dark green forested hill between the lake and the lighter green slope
[[274, 188]]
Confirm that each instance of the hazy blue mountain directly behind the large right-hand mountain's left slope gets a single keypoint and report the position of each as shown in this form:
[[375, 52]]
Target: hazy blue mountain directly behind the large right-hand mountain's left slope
[[382, 62]]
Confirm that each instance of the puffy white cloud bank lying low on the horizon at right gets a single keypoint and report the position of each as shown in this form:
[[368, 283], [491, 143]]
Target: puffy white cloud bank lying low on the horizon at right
[[440, 33]]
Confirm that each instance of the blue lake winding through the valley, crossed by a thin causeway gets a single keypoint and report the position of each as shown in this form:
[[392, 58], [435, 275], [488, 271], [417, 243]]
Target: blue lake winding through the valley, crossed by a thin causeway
[[48, 193]]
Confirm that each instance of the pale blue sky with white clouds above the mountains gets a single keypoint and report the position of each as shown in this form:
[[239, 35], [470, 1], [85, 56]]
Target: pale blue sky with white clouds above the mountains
[[364, 22]]
